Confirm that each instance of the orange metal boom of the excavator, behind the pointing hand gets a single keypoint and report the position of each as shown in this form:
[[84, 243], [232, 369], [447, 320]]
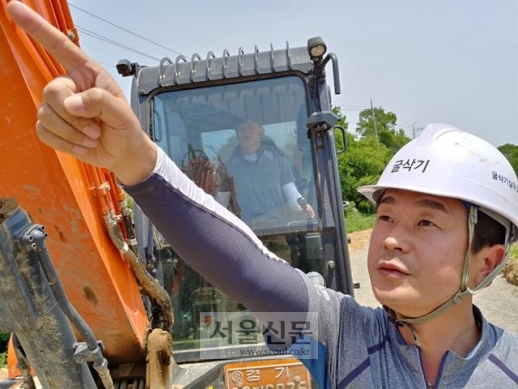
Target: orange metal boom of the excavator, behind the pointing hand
[[65, 195]]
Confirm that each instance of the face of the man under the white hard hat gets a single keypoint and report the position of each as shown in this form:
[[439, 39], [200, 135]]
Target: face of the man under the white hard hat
[[417, 251]]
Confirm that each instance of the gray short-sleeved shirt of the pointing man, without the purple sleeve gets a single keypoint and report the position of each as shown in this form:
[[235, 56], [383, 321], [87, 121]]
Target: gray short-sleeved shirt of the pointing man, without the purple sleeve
[[363, 348]]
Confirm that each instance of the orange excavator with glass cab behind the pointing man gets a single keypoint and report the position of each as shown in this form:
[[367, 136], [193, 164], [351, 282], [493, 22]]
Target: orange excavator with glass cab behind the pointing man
[[92, 294]]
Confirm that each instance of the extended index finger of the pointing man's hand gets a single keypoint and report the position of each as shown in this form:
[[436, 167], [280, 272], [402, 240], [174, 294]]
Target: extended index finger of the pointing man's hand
[[53, 40]]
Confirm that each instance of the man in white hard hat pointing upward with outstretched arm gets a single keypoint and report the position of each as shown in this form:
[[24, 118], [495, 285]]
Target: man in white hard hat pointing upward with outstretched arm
[[447, 211]]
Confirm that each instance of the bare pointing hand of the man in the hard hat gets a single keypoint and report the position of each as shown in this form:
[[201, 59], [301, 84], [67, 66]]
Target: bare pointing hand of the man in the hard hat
[[86, 113]]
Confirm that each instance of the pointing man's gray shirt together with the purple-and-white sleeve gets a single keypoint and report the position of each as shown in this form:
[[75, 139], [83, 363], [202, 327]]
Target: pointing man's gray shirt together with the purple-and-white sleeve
[[358, 347]]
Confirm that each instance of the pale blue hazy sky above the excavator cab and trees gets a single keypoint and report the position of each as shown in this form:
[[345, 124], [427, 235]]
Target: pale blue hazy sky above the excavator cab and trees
[[453, 61]]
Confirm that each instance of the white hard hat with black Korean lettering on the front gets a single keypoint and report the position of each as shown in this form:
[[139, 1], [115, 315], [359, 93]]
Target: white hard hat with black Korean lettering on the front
[[445, 161]]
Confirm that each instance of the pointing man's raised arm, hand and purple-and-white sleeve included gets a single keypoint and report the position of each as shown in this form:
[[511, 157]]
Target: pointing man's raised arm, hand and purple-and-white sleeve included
[[87, 115]]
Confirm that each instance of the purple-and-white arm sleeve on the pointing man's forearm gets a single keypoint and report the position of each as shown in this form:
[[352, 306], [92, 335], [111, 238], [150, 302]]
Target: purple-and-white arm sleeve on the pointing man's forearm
[[217, 244]]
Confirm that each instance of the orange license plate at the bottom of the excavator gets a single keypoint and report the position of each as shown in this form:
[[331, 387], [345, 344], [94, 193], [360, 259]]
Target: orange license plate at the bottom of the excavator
[[270, 374]]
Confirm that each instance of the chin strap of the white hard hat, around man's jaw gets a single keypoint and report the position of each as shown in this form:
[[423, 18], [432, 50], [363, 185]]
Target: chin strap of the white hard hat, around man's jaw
[[464, 290]]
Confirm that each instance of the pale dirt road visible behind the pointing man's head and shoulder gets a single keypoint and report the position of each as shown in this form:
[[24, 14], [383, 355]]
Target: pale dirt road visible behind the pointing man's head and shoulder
[[499, 302]]
